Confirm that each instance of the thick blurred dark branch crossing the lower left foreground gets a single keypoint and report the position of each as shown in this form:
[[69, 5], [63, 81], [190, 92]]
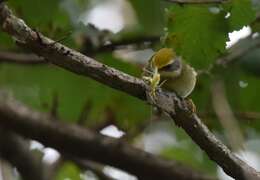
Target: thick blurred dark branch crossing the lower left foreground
[[85, 144]]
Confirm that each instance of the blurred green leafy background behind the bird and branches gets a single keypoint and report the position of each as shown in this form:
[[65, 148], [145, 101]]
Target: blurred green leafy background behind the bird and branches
[[197, 32]]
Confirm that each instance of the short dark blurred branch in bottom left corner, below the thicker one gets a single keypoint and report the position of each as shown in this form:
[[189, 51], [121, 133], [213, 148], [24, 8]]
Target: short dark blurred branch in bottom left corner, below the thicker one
[[16, 151]]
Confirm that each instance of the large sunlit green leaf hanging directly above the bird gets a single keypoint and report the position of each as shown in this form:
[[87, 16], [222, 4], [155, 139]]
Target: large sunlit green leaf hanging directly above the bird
[[197, 33]]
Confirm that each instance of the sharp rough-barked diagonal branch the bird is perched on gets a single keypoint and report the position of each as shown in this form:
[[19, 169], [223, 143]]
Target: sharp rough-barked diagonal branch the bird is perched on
[[178, 109]]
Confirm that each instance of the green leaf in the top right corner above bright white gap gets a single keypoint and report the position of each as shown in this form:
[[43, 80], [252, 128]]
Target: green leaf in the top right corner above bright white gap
[[241, 13]]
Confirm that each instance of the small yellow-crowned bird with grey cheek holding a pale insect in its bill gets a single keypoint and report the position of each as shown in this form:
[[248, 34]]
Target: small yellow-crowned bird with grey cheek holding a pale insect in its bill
[[167, 70]]
